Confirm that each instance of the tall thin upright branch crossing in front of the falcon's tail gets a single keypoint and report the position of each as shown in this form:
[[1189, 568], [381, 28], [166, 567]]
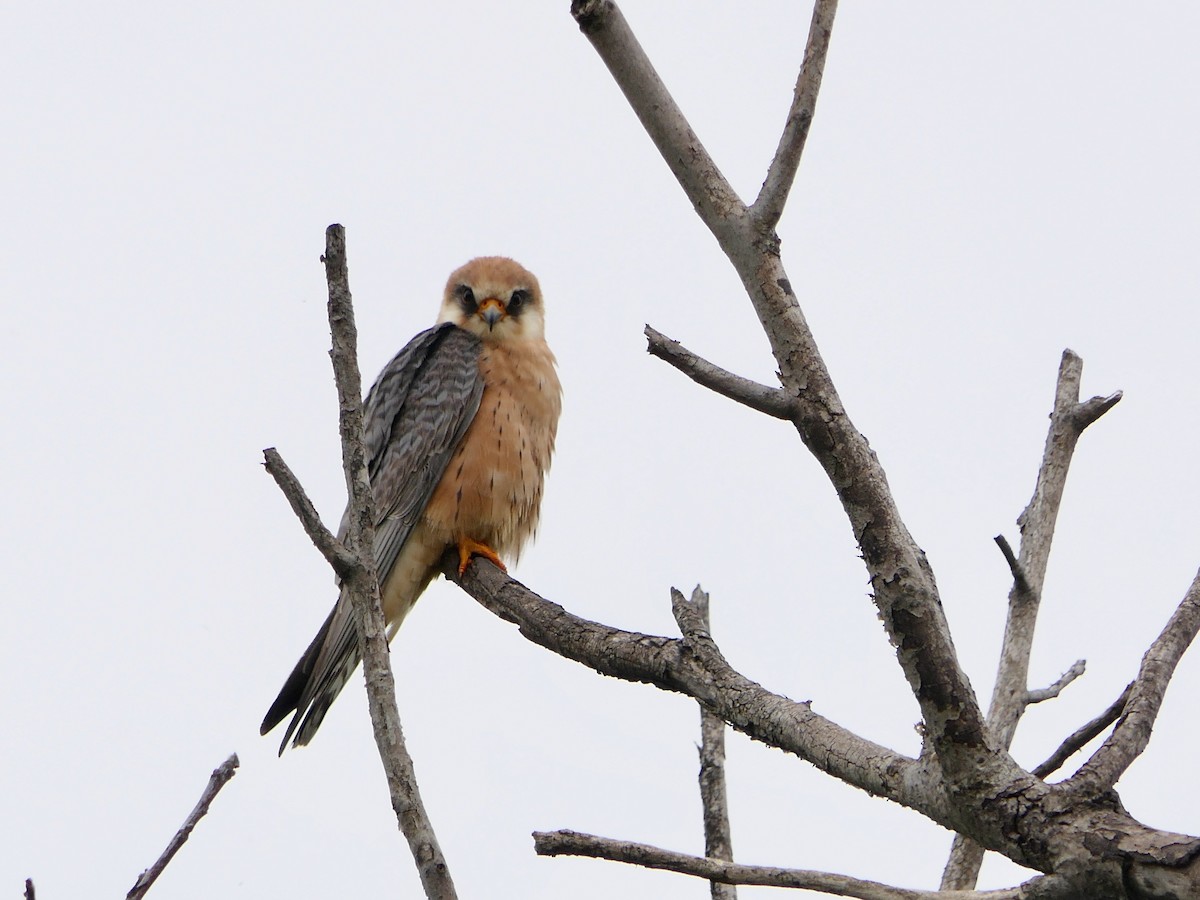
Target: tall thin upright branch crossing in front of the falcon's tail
[[364, 585]]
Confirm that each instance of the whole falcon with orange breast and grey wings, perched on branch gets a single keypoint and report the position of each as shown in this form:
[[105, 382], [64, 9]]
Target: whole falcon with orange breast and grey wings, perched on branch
[[459, 430]]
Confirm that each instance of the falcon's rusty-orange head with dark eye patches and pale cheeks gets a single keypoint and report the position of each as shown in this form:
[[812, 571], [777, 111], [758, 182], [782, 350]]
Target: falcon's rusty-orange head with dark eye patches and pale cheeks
[[496, 299]]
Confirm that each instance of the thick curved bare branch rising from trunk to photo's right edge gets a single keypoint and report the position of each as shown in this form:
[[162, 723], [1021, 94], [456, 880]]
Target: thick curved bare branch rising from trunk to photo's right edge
[[1132, 733]]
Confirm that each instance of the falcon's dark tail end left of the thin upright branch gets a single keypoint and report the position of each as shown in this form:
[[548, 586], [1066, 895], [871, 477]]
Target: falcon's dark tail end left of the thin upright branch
[[317, 680]]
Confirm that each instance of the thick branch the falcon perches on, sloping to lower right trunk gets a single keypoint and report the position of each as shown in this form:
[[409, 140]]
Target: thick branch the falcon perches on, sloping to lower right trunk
[[695, 668]]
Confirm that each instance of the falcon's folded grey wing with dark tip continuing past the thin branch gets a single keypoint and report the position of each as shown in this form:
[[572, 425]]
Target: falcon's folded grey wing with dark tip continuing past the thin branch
[[415, 418]]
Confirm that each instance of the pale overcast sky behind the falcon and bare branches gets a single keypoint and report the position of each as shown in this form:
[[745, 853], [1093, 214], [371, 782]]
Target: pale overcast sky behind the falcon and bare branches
[[985, 185]]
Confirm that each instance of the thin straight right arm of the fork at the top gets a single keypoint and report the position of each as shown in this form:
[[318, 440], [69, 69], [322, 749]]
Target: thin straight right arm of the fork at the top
[[782, 175]]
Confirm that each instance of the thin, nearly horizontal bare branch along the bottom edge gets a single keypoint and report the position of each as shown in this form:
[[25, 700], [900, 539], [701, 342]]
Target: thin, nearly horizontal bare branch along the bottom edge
[[567, 843]]
